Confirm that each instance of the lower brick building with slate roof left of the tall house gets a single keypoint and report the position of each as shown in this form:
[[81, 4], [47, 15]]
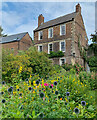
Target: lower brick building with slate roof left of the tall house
[[21, 41]]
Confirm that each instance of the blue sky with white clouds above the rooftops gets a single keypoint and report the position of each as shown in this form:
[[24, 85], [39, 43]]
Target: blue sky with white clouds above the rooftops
[[18, 17]]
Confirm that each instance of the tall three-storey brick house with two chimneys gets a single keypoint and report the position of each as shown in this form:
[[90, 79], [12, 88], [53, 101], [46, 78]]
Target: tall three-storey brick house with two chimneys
[[62, 34]]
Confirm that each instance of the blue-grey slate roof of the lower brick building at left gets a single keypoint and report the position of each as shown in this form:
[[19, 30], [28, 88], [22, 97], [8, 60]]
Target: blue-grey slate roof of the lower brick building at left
[[12, 38]]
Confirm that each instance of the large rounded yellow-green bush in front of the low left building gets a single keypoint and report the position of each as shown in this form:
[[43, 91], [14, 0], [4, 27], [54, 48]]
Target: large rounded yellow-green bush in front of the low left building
[[31, 62]]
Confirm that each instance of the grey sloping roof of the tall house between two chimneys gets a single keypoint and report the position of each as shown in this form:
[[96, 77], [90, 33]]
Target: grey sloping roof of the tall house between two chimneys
[[59, 20]]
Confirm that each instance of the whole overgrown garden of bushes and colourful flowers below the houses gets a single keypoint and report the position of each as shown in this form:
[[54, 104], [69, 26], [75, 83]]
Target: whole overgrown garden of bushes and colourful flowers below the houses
[[32, 87]]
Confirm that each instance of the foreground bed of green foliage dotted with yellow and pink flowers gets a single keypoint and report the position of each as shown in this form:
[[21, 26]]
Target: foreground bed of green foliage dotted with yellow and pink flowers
[[31, 105]]
